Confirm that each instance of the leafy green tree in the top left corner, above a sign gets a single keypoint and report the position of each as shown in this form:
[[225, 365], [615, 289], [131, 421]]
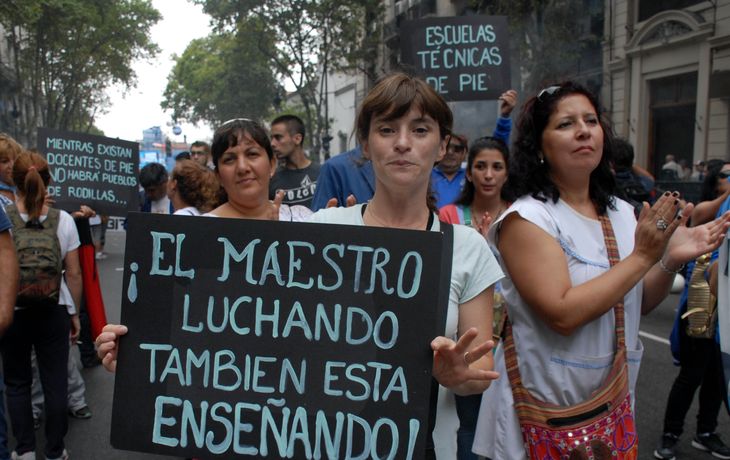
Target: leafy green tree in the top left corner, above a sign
[[66, 53]]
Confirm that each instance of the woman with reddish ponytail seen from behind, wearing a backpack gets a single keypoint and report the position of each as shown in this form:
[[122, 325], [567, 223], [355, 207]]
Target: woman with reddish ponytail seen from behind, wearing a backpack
[[44, 329]]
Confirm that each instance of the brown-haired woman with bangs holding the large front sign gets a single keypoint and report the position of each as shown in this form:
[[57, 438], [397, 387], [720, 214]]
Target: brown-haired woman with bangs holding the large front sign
[[403, 126]]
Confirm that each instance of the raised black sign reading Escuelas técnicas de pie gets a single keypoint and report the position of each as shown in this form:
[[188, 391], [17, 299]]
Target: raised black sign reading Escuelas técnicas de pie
[[465, 58]]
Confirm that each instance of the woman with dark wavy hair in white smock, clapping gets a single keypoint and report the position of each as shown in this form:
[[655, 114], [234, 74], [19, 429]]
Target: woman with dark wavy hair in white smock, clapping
[[560, 291]]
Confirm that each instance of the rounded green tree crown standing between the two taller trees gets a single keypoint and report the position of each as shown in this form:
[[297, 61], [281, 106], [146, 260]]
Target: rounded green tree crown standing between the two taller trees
[[220, 77]]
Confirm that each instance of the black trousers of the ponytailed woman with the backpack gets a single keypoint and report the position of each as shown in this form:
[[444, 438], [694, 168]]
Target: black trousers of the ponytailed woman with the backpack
[[46, 329]]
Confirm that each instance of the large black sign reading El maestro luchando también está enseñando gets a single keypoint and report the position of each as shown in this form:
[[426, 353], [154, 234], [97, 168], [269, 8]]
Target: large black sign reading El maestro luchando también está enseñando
[[277, 339]]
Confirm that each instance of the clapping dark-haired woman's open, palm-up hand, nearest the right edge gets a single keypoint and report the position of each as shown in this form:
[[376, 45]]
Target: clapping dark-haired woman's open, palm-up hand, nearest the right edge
[[689, 243]]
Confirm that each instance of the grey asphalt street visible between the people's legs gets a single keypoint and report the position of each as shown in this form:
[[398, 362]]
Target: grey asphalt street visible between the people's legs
[[89, 439]]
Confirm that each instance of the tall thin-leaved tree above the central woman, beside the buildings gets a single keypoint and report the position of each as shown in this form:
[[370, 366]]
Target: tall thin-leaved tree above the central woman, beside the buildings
[[311, 37]]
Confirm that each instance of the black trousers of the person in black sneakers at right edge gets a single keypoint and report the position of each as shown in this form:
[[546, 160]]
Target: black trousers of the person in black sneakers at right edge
[[700, 365]]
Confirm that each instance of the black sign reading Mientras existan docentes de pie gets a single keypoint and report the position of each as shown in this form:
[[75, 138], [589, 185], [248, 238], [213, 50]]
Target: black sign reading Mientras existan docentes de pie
[[97, 171]]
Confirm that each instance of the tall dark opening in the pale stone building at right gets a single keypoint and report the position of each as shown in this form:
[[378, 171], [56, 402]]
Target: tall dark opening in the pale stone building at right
[[672, 106]]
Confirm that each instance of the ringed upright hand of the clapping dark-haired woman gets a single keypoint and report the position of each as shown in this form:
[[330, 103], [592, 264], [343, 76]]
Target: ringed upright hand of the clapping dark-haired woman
[[650, 240]]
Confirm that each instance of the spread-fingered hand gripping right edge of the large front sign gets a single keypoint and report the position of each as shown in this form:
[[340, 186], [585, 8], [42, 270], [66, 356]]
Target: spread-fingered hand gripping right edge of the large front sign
[[452, 360]]
